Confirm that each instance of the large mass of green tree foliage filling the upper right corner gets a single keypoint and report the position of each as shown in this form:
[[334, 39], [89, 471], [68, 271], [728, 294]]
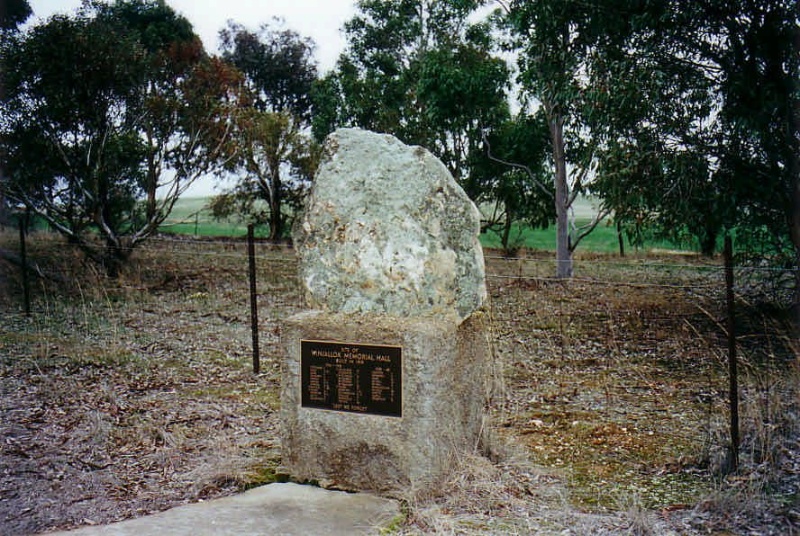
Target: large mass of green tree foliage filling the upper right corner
[[682, 117]]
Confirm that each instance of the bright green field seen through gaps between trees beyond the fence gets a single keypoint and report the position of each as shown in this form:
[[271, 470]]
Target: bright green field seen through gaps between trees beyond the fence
[[192, 217]]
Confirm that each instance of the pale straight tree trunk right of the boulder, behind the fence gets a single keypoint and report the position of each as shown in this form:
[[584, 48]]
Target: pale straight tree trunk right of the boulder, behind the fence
[[563, 253]]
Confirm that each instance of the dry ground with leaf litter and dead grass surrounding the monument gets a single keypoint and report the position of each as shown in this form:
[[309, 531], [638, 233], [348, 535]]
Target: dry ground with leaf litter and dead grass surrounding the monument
[[118, 399]]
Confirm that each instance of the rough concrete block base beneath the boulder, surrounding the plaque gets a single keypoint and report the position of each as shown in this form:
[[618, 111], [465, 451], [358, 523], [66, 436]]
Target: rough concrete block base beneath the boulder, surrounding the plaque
[[445, 372]]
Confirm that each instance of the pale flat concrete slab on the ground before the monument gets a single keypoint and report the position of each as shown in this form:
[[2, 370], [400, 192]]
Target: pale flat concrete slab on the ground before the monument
[[275, 509]]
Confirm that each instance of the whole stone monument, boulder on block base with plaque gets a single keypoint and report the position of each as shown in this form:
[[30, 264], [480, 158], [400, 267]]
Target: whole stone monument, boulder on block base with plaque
[[385, 376]]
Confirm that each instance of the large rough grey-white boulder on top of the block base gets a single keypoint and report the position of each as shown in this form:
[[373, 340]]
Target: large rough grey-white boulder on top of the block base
[[387, 230]]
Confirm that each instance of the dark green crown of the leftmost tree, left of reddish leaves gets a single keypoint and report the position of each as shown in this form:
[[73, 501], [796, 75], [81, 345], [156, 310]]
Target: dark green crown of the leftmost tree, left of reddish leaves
[[58, 135]]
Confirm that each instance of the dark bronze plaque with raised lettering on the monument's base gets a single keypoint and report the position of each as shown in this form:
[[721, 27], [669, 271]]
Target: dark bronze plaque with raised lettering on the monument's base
[[360, 378]]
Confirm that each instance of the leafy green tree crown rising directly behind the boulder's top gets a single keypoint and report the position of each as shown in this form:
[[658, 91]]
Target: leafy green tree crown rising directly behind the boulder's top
[[421, 70]]
